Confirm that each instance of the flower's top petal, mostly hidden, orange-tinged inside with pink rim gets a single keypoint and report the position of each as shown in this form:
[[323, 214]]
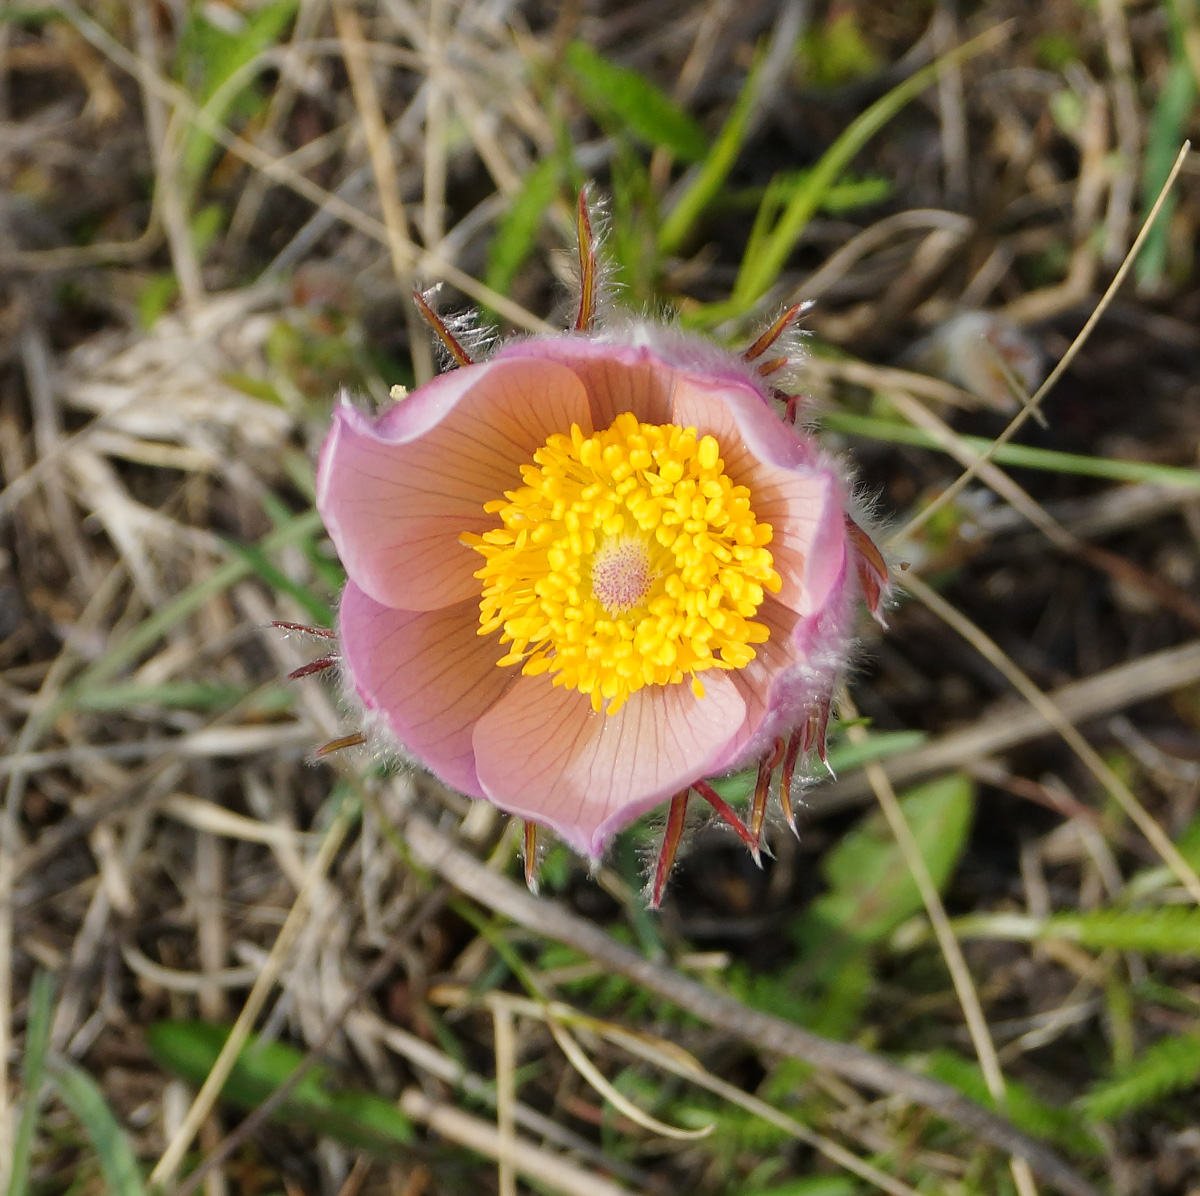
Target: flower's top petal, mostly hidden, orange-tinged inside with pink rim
[[619, 377]]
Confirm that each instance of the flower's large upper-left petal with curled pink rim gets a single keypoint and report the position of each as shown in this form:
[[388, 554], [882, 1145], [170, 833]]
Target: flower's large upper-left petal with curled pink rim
[[397, 496]]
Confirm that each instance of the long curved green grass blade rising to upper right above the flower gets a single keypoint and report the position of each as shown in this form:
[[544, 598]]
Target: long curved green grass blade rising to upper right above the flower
[[759, 273]]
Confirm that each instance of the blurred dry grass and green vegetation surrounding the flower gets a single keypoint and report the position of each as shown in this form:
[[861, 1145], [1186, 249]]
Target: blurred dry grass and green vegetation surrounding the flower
[[212, 219]]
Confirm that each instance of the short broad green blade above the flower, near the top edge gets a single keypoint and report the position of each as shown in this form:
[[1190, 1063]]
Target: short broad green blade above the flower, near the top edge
[[617, 93]]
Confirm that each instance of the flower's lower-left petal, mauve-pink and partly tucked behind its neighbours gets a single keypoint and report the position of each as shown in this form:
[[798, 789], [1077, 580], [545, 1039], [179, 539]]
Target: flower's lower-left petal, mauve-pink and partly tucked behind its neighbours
[[428, 675]]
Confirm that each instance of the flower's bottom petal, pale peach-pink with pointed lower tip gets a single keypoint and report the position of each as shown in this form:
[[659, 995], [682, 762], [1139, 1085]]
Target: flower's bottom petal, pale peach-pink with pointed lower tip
[[544, 754]]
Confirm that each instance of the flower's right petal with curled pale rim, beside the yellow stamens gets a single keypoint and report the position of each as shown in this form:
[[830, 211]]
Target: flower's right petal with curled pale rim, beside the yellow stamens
[[790, 488]]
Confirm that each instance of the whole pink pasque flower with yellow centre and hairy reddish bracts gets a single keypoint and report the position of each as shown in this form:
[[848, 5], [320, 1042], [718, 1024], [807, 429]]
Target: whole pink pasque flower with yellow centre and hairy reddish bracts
[[593, 572]]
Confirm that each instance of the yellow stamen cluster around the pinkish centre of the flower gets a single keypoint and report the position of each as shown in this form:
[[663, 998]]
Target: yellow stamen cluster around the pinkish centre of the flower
[[628, 558]]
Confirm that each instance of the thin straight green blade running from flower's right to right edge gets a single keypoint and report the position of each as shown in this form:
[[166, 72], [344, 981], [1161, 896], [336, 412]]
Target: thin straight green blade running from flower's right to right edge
[[1049, 460]]
